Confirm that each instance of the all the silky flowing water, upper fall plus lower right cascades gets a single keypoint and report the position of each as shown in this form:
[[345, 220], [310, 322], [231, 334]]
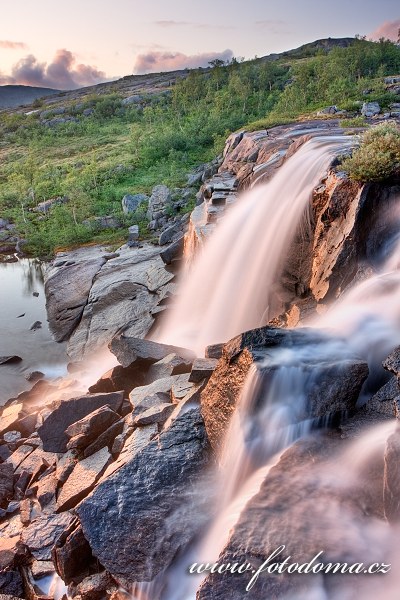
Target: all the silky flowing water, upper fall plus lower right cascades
[[229, 290]]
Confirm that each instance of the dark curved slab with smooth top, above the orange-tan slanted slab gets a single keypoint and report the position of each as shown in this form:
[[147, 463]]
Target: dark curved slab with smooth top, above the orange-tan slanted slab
[[53, 431]]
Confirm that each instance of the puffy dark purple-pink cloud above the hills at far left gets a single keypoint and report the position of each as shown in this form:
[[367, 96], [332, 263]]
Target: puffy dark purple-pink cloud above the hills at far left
[[62, 73]]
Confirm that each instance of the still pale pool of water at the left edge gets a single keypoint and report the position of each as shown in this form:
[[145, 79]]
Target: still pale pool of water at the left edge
[[22, 302]]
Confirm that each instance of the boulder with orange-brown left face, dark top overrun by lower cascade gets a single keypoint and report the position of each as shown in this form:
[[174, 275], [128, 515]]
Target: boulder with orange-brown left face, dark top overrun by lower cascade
[[333, 385]]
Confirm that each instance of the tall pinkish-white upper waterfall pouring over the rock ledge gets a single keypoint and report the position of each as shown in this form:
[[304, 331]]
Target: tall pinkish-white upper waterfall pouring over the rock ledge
[[232, 284]]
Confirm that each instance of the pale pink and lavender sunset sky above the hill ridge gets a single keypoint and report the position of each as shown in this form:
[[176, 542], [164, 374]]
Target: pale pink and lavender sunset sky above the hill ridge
[[82, 42]]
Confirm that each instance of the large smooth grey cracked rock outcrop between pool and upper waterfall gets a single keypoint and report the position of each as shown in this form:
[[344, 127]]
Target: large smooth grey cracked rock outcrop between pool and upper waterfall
[[92, 296]]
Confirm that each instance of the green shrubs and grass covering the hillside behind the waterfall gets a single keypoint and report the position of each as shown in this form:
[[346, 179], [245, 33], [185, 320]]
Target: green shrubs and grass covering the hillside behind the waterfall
[[100, 149]]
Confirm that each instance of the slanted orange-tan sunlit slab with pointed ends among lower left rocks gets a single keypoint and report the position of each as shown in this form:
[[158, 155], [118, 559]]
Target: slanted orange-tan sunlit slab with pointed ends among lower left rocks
[[82, 479]]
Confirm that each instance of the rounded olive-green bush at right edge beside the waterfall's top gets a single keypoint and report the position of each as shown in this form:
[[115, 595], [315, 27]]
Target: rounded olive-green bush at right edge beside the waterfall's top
[[378, 156]]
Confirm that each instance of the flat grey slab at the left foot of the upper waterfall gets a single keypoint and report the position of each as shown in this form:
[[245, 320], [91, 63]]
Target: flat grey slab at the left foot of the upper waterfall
[[129, 349]]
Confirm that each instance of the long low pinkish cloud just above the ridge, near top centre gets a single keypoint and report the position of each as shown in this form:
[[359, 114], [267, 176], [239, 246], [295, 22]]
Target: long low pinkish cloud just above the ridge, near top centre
[[154, 62]]
